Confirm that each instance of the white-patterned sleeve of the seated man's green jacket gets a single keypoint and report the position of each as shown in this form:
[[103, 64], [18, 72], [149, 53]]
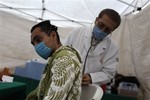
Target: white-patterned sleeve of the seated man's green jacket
[[66, 78]]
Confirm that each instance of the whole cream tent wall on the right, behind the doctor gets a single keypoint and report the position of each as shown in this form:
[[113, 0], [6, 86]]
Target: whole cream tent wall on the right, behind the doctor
[[133, 38]]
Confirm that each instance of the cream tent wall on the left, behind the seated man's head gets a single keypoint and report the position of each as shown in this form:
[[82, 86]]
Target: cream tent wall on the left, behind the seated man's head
[[15, 46]]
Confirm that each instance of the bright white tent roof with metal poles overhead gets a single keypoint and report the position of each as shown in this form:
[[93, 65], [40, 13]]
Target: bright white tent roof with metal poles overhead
[[69, 12]]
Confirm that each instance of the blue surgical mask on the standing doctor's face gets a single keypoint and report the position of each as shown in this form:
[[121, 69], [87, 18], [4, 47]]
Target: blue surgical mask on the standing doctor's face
[[98, 34]]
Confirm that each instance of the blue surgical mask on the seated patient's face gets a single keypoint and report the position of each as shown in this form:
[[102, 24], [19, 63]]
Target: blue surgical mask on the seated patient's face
[[43, 50]]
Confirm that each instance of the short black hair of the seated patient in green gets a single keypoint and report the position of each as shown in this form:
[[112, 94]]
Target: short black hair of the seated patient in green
[[46, 27]]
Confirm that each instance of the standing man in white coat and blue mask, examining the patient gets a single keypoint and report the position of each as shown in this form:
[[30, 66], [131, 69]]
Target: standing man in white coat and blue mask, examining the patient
[[99, 54]]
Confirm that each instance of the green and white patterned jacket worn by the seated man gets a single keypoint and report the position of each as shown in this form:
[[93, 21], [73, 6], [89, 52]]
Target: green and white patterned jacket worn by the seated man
[[61, 79]]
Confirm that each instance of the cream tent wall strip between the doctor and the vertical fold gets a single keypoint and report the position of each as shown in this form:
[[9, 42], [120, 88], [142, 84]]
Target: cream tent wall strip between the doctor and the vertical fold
[[121, 37]]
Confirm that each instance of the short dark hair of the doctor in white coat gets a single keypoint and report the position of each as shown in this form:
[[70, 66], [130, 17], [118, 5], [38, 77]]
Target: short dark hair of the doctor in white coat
[[112, 14]]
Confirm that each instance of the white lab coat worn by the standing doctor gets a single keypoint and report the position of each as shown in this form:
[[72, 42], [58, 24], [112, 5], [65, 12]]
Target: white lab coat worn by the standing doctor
[[102, 61]]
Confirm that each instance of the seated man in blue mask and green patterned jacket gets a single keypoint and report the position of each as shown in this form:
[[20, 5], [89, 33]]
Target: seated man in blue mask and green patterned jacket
[[61, 79]]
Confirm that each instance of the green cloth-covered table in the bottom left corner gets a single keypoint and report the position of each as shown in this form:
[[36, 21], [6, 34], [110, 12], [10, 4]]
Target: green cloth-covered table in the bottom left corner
[[12, 91]]
